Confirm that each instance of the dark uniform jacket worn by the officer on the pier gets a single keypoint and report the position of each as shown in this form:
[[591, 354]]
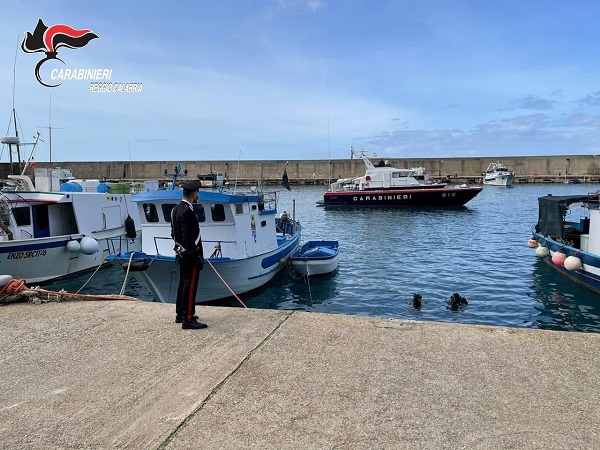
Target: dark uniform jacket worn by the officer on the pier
[[186, 231]]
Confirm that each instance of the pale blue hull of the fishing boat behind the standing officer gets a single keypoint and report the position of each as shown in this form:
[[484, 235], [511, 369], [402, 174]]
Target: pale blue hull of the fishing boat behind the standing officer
[[241, 275]]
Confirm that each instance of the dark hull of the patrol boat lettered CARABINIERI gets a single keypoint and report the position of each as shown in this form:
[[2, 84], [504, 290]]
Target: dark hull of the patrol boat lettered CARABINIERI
[[432, 197]]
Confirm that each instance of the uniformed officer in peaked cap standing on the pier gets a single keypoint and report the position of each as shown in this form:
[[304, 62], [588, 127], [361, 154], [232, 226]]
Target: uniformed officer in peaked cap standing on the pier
[[186, 232]]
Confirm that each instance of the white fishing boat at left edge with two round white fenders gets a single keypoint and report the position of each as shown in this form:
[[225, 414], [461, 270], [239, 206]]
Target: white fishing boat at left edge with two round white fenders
[[50, 235]]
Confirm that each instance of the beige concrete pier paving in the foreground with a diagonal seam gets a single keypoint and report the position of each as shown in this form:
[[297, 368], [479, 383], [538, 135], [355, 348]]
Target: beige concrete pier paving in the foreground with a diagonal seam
[[124, 375]]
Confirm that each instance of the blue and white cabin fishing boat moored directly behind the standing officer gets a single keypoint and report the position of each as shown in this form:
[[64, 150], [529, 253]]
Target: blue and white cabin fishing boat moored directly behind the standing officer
[[246, 242]]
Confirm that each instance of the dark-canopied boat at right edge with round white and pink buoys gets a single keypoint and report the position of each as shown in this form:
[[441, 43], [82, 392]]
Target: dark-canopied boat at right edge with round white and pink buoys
[[567, 237]]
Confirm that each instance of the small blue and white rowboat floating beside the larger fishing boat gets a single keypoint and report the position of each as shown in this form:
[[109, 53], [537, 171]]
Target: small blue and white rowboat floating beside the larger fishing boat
[[316, 258]]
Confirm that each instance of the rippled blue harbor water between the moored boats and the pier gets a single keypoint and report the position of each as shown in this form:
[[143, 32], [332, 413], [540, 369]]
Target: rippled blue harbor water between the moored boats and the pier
[[479, 251]]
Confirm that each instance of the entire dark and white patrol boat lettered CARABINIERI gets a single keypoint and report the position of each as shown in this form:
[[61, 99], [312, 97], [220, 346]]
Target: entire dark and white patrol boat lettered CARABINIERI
[[386, 186]]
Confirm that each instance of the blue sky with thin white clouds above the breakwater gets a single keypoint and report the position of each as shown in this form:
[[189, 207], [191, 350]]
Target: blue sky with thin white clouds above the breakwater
[[308, 79]]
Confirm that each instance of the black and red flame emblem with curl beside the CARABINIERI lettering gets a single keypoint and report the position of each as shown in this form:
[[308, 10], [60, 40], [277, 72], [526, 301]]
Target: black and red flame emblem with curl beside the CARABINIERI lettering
[[49, 40]]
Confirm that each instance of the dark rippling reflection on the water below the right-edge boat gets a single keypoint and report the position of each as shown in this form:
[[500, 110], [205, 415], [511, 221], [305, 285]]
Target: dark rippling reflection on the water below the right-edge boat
[[562, 304]]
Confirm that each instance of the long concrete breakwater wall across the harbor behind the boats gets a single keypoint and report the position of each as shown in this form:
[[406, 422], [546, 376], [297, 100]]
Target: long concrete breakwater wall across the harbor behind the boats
[[528, 169]]
